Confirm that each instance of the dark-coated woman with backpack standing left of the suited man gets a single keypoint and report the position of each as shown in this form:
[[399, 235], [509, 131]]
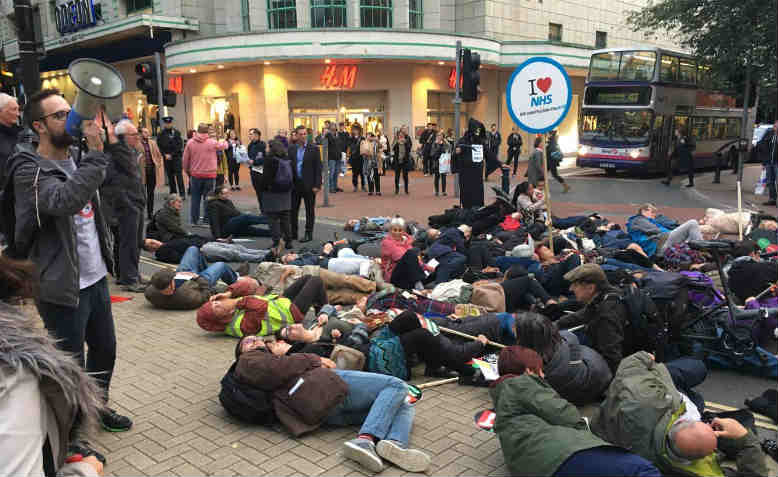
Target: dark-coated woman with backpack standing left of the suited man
[[277, 195]]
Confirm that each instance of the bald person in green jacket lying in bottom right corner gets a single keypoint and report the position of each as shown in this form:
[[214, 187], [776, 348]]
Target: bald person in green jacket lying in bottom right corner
[[645, 411]]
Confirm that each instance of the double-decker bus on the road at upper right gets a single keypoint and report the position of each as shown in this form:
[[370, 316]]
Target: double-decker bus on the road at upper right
[[634, 101]]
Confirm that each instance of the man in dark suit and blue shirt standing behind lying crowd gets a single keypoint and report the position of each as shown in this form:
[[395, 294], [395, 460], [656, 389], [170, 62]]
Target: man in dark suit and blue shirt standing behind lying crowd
[[306, 168]]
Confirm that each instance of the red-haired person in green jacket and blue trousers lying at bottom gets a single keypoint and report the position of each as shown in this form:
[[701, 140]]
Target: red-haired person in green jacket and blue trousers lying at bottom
[[542, 434]]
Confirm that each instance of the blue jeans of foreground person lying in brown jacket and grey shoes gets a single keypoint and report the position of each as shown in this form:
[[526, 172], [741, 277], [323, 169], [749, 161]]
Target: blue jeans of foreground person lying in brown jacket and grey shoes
[[377, 402]]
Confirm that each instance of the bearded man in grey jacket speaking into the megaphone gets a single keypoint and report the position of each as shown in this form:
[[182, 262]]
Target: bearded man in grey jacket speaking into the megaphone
[[60, 226]]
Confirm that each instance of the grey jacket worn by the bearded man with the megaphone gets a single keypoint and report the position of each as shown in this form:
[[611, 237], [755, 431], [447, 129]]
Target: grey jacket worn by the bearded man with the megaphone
[[45, 201]]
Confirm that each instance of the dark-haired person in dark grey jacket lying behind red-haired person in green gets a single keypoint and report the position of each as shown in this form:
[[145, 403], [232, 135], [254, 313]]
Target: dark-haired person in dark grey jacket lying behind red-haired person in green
[[580, 383]]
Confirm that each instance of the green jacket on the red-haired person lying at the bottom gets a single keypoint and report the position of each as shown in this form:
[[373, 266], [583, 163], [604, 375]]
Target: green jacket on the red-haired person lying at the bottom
[[538, 430]]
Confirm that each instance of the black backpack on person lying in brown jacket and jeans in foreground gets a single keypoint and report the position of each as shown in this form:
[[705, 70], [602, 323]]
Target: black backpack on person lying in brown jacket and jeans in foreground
[[246, 403]]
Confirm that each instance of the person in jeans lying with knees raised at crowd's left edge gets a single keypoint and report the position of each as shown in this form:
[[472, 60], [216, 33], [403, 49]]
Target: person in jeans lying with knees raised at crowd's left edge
[[192, 283]]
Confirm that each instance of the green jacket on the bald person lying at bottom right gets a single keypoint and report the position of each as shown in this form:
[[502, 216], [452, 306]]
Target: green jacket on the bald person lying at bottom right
[[641, 406]]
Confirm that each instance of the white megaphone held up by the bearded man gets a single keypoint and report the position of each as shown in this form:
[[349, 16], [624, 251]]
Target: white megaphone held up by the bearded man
[[99, 85]]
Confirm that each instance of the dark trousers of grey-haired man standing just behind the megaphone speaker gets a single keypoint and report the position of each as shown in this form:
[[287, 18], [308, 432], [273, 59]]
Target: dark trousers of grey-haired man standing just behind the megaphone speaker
[[127, 236]]
